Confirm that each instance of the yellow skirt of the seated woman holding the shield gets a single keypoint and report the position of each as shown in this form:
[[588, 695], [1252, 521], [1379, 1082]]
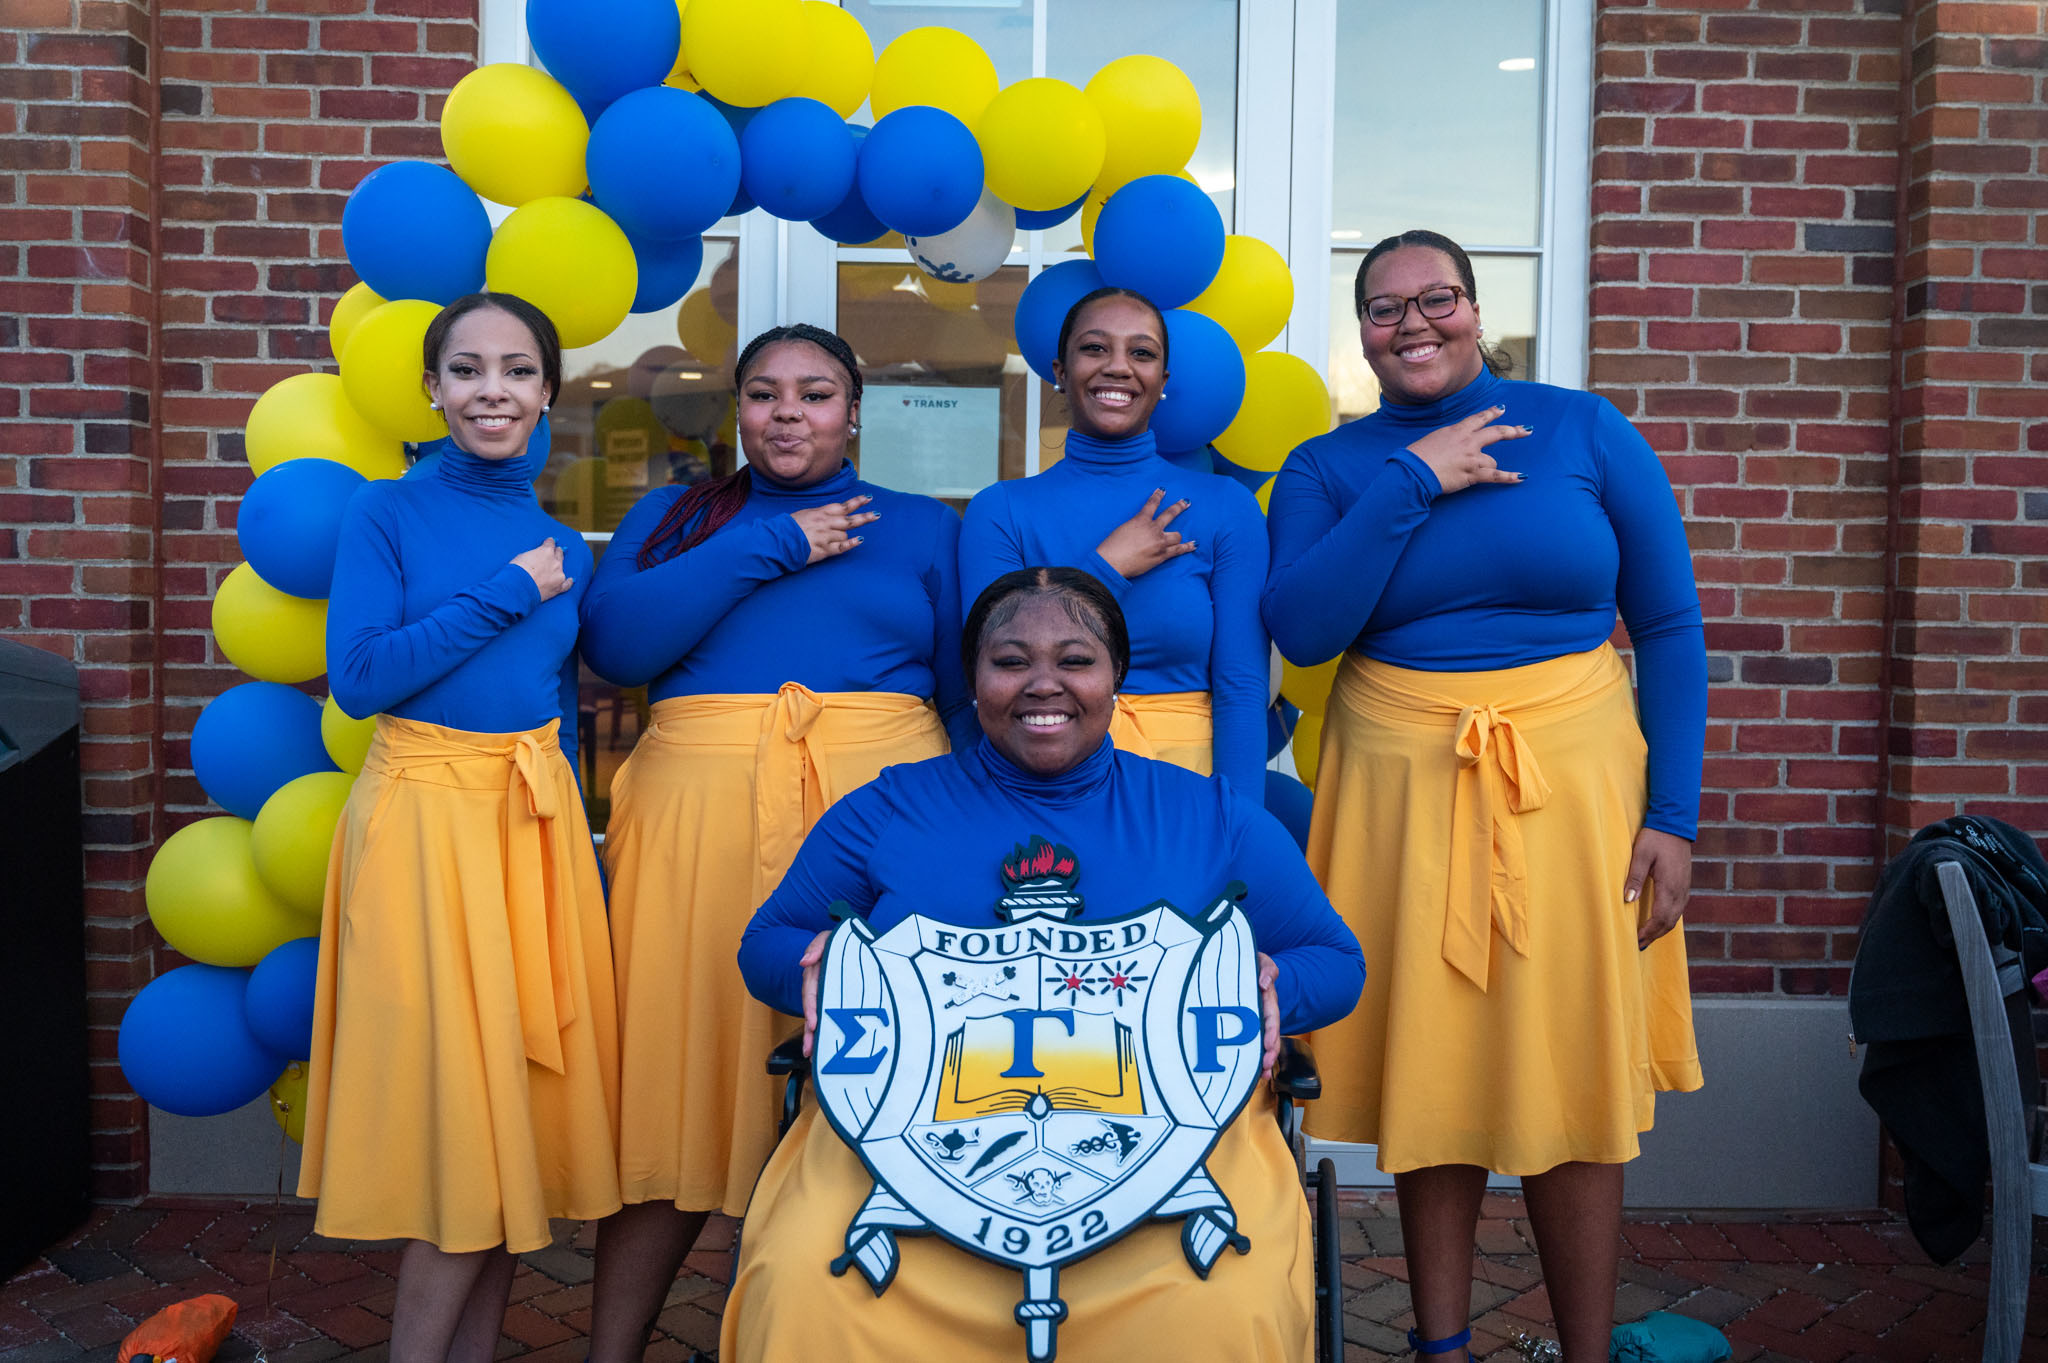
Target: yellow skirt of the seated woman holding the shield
[[1134, 1301]]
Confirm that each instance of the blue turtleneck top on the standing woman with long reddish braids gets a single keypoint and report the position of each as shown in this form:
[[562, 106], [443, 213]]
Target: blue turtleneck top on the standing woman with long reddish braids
[[742, 615]]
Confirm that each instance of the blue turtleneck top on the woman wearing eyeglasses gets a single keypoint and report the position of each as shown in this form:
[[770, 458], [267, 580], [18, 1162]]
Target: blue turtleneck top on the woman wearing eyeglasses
[[1369, 556]]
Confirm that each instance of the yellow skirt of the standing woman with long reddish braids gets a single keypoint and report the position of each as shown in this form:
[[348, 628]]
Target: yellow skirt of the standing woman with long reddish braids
[[708, 814]]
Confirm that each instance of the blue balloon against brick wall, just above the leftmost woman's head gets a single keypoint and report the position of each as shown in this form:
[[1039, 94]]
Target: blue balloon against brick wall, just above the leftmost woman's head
[[417, 232]]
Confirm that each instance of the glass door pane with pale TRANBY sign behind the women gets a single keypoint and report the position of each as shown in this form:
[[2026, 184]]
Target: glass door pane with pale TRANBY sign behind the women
[[945, 386]]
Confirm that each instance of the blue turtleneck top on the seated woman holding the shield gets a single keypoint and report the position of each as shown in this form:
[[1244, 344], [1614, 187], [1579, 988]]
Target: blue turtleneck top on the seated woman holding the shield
[[931, 838]]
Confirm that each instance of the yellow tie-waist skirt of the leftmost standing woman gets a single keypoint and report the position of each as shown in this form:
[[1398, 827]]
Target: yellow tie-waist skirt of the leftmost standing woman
[[464, 1086]]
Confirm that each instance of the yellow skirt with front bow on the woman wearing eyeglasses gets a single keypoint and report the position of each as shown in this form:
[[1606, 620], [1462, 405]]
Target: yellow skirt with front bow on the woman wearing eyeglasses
[[1476, 834]]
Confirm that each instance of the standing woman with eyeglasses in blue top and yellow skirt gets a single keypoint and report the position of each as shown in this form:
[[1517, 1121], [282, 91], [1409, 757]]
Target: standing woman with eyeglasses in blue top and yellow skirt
[[1498, 820]]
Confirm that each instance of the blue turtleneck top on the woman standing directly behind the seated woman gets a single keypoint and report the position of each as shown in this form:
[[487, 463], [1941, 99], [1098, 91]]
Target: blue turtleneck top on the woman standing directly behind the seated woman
[[1195, 619]]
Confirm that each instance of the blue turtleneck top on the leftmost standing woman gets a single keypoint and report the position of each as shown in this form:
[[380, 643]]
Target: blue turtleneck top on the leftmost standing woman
[[433, 621]]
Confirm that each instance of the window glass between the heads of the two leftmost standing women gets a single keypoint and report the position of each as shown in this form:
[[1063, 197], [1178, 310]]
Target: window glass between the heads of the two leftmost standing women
[[652, 404]]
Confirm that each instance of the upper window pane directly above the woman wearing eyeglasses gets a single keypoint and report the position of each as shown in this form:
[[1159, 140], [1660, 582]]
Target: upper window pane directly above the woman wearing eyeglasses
[[1439, 120]]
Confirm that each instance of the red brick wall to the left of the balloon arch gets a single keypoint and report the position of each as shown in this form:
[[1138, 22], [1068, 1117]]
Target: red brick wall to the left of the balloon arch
[[134, 369]]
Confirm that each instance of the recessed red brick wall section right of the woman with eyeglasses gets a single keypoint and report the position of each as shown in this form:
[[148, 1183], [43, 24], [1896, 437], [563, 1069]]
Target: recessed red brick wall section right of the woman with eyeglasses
[[1744, 232]]
